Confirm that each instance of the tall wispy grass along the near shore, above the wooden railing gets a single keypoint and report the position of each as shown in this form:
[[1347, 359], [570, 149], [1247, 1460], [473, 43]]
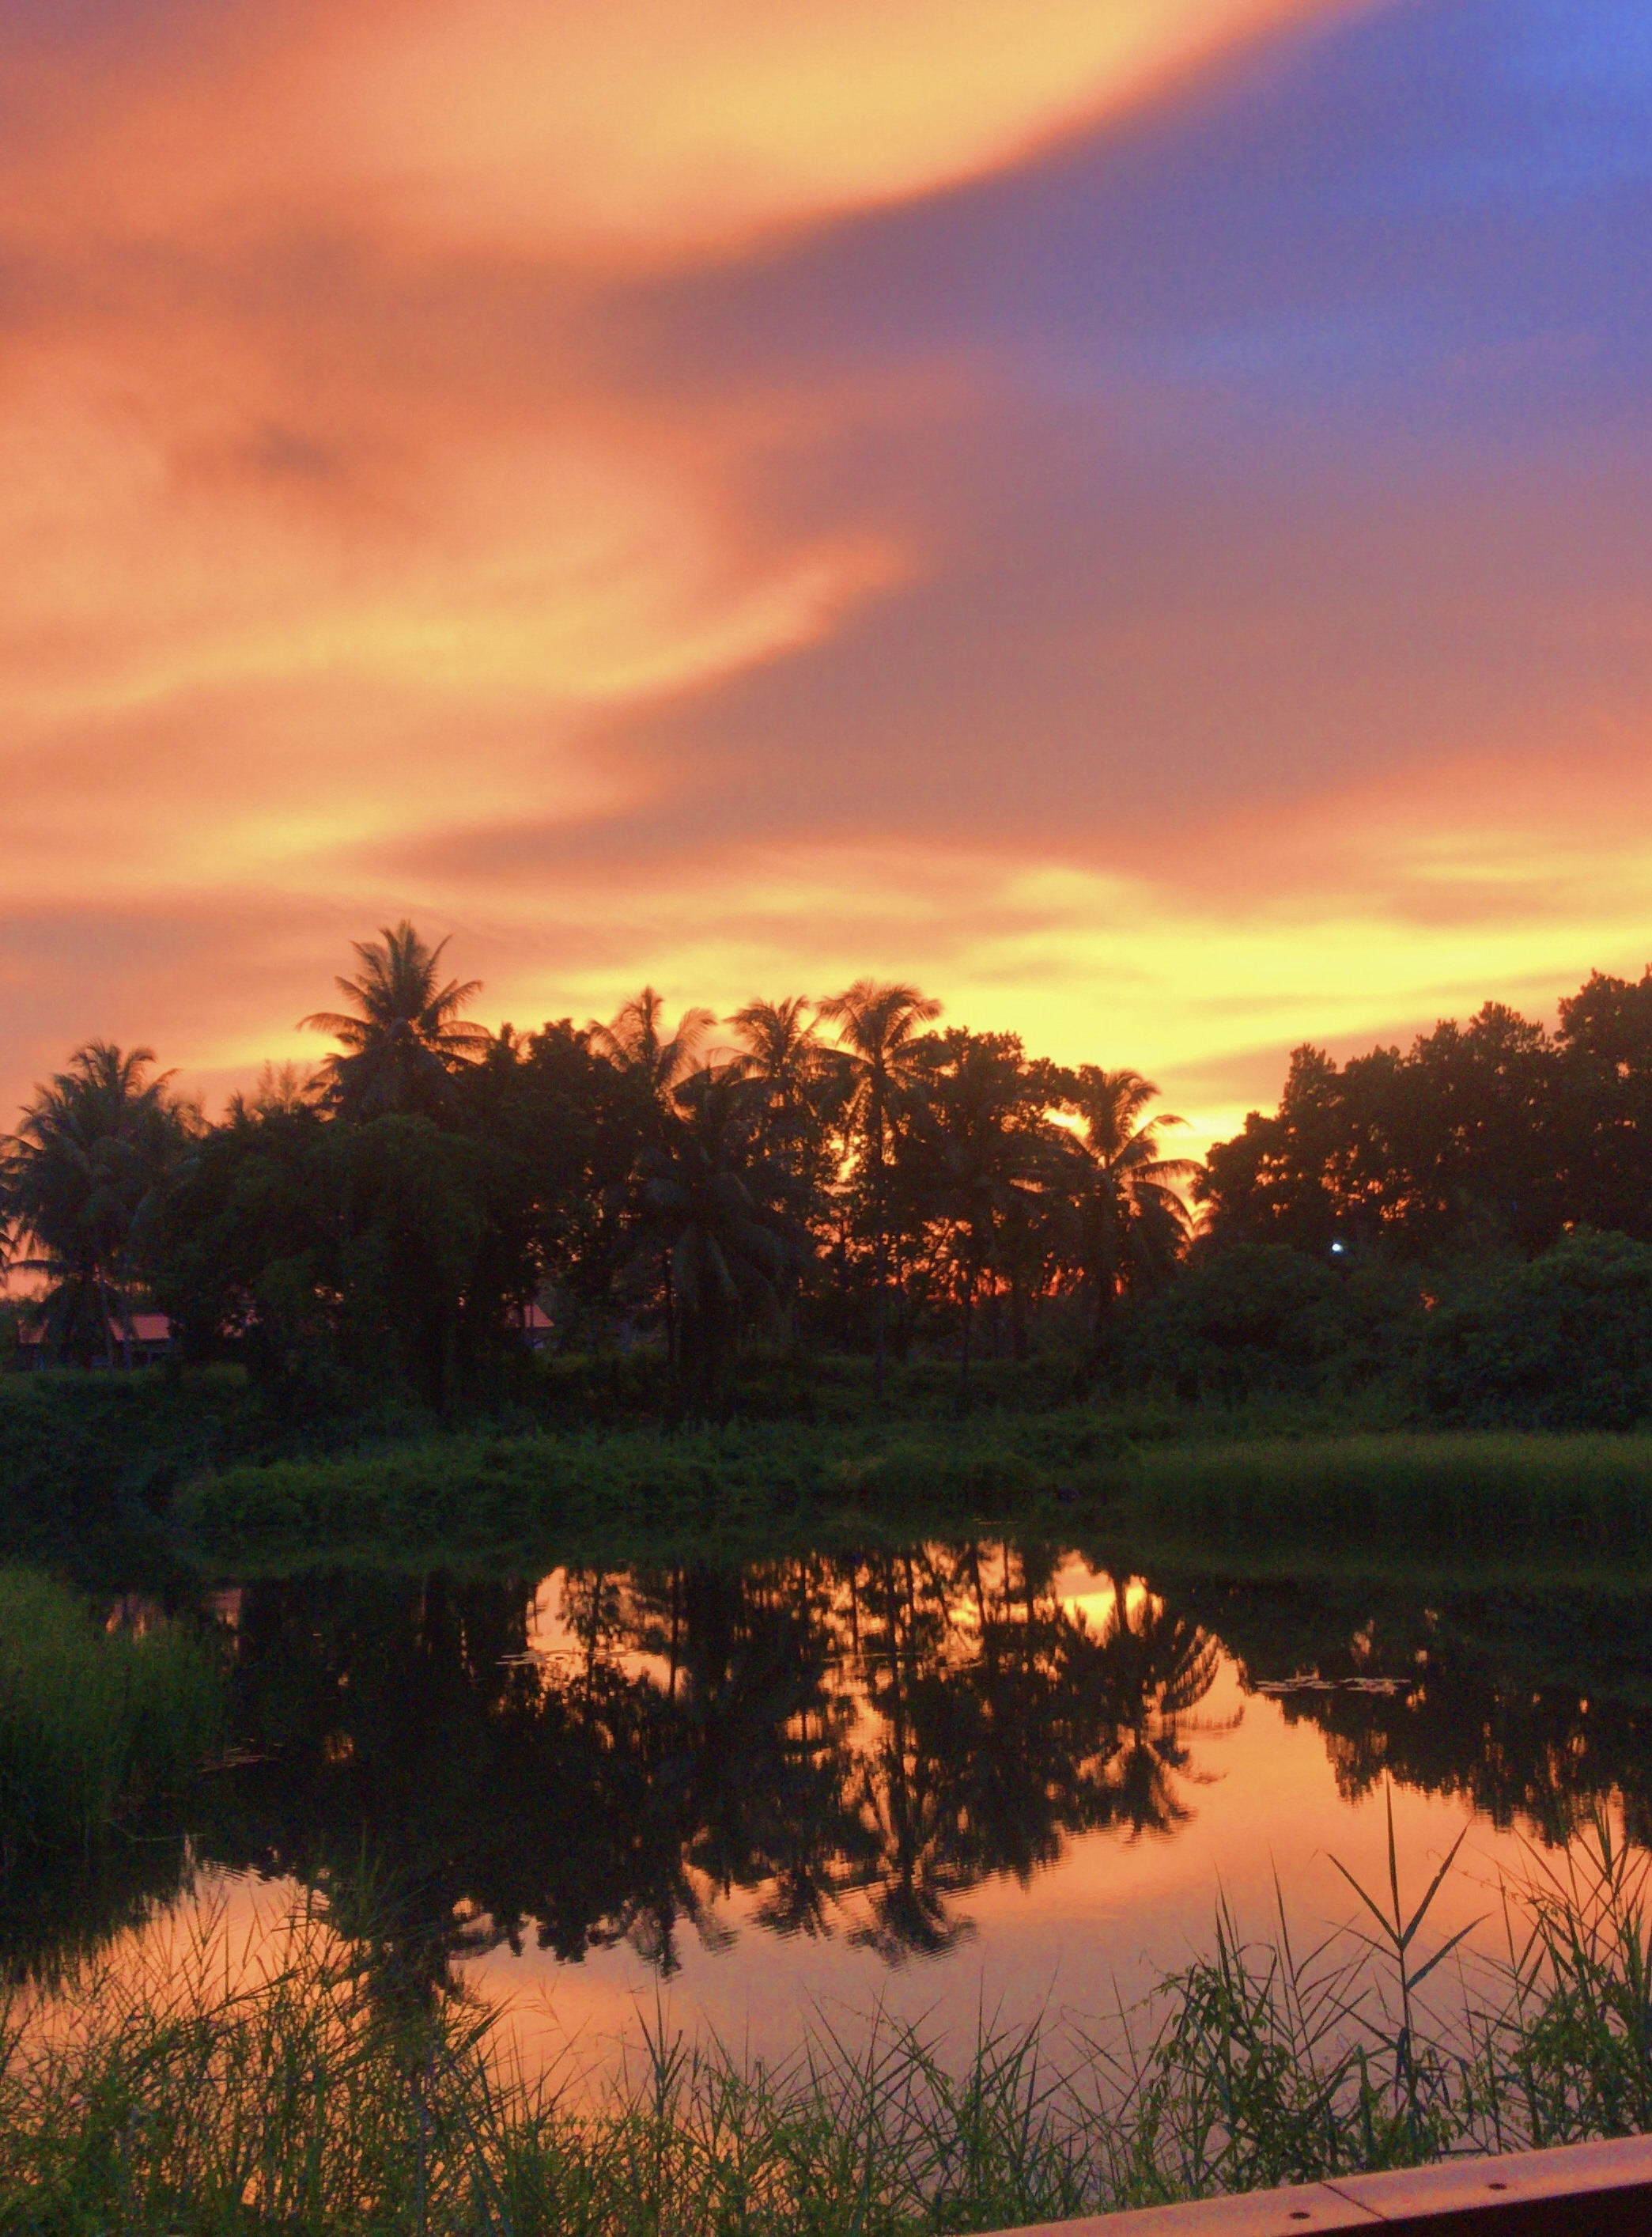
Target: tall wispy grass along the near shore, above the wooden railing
[[303, 2084]]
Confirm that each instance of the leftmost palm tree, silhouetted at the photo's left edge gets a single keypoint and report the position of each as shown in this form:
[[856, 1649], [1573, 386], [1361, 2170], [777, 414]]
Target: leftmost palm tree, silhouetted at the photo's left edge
[[79, 1184]]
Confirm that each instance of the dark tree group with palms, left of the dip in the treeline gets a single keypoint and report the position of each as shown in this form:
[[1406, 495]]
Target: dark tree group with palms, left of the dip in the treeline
[[844, 1176]]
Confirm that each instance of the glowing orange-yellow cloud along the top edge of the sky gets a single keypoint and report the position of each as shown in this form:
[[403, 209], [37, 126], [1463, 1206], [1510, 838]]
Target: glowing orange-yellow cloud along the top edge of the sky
[[640, 129]]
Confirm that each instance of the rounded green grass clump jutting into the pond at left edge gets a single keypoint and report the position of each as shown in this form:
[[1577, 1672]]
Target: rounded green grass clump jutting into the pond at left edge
[[91, 1721]]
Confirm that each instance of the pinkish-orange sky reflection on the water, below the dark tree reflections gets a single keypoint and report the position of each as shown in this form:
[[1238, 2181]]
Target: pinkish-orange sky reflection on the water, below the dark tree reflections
[[1099, 1925]]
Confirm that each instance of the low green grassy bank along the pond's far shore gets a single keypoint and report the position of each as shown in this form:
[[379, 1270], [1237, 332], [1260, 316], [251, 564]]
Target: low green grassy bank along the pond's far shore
[[643, 1495]]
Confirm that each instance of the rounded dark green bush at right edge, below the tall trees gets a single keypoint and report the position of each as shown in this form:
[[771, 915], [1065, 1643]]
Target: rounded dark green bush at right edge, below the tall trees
[[1561, 1343]]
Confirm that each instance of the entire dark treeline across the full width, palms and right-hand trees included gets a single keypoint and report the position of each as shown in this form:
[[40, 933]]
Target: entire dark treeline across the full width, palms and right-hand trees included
[[1465, 1227]]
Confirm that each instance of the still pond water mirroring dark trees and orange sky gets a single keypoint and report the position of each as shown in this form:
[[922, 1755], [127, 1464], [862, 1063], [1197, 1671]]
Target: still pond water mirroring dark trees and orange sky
[[927, 1784]]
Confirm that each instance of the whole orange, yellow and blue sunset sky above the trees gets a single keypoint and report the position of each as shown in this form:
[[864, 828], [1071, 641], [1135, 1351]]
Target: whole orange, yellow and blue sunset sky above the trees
[[1130, 513]]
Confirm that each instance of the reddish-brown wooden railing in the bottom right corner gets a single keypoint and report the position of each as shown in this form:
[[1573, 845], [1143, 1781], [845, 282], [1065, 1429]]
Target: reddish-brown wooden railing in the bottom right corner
[[1582, 2191]]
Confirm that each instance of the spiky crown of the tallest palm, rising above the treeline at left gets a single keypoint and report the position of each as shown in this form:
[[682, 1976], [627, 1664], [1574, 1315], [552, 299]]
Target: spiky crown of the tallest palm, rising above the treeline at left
[[403, 1041]]
